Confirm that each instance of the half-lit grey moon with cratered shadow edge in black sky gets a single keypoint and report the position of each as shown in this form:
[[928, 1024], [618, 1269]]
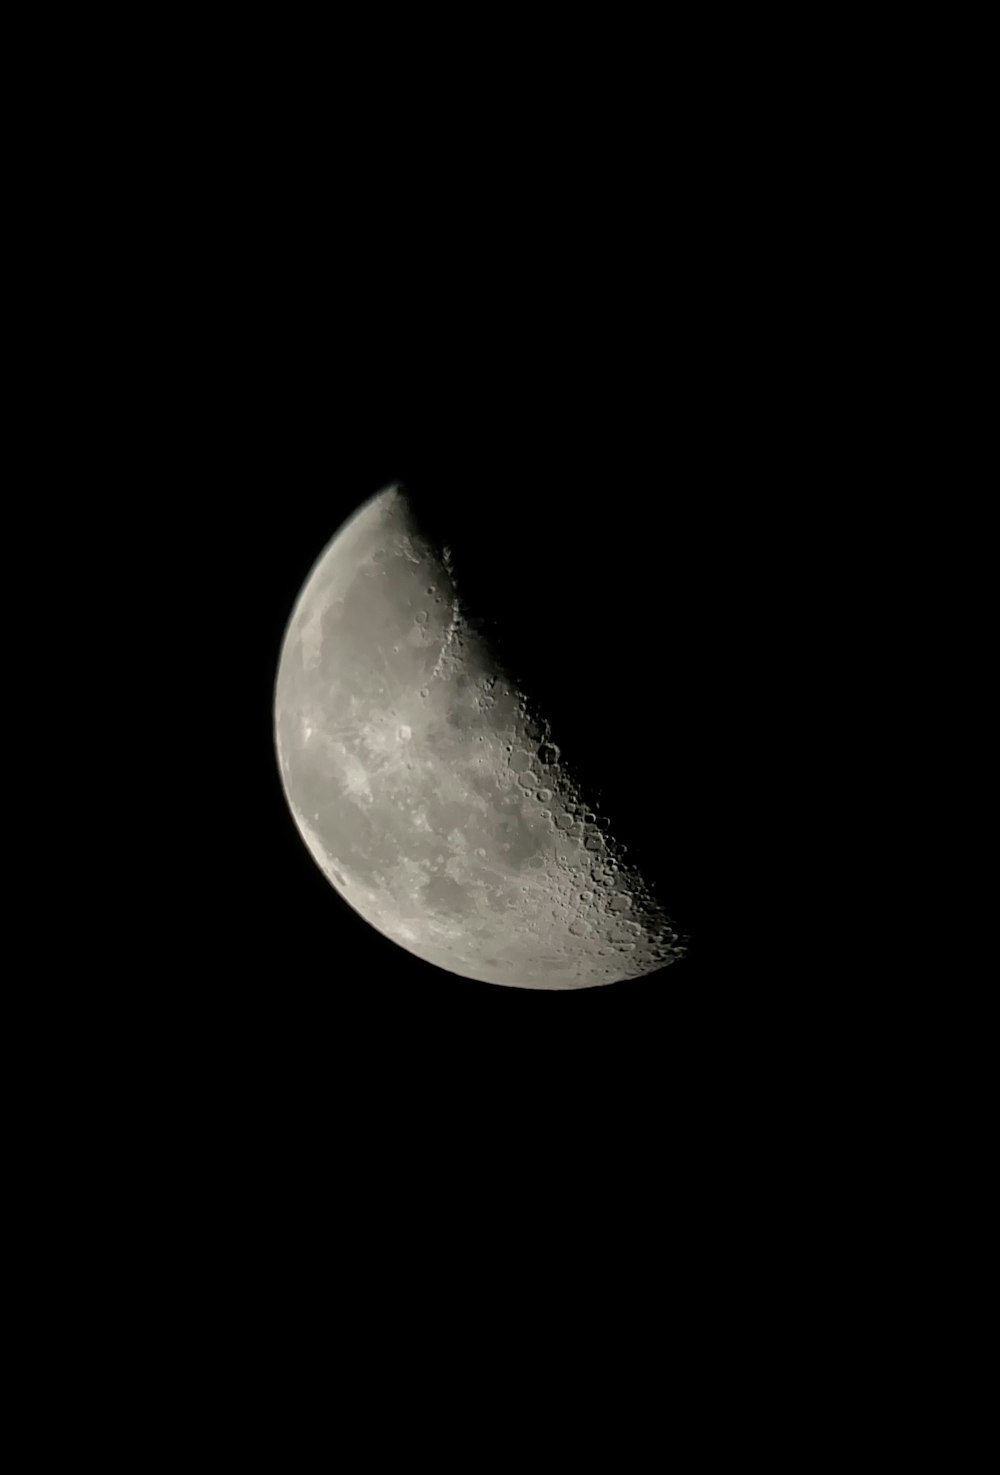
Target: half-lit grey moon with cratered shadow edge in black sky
[[430, 790]]
